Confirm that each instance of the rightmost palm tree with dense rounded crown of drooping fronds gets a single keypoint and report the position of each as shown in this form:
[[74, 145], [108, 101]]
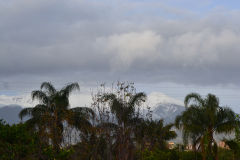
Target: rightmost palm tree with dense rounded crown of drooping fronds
[[202, 119]]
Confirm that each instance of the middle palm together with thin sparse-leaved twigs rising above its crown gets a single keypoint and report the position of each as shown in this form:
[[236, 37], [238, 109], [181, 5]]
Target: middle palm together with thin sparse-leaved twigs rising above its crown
[[124, 107]]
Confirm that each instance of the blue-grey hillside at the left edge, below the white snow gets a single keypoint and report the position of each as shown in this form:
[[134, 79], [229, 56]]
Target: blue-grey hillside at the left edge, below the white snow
[[9, 113]]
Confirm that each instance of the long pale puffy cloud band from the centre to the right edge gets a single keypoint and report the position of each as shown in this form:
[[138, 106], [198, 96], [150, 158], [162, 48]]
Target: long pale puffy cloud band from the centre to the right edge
[[189, 49]]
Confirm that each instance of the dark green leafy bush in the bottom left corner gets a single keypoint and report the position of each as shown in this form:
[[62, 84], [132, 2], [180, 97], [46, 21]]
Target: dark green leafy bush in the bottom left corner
[[16, 142]]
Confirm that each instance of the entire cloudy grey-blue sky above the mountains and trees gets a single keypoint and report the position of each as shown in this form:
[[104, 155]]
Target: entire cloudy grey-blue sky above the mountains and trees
[[172, 47]]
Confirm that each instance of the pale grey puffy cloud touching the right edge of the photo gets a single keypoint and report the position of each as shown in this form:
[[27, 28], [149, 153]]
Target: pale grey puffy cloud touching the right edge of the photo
[[204, 48]]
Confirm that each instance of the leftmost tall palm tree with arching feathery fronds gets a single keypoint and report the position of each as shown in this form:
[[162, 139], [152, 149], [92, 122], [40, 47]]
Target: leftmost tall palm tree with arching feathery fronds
[[49, 115]]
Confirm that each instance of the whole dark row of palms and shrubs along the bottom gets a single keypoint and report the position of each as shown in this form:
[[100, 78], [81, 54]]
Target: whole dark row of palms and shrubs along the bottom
[[116, 127]]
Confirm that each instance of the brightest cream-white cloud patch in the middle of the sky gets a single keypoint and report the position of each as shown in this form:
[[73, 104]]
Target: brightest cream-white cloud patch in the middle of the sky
[[128, 47]]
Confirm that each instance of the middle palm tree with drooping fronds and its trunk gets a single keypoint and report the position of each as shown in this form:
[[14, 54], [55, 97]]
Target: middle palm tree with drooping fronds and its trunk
[[124, 110]]
